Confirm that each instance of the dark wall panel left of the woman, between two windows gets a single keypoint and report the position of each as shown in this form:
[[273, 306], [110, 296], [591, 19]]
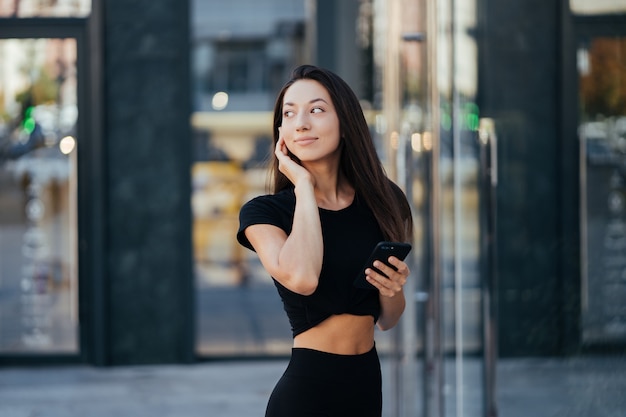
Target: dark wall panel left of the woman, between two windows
[[147, 162]]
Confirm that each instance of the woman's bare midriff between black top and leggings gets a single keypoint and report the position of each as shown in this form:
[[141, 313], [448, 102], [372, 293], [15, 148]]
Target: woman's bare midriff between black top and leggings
[[343, 334]]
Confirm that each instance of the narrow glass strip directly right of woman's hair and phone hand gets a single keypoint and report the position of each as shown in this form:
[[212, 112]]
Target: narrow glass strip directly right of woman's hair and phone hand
[[405, 138]]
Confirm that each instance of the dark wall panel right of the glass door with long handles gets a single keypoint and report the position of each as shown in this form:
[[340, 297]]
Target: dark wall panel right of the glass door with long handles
[[520, 89]]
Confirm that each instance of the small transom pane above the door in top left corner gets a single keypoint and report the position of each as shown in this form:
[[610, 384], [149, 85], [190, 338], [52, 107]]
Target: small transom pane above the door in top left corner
[[45, 8]]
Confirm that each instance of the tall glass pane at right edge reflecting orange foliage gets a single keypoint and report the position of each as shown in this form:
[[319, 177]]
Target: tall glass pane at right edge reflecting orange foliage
[[602, 130]]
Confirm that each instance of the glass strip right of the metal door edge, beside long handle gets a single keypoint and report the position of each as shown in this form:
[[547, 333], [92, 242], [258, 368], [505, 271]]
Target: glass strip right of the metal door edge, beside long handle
[[459, 204]]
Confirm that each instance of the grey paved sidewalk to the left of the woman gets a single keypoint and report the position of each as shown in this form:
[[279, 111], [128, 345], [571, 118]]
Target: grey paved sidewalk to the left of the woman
[[224, 389]]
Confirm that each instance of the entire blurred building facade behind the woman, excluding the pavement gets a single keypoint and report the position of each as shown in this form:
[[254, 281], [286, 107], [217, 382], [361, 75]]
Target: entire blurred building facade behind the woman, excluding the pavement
[[132, 132]]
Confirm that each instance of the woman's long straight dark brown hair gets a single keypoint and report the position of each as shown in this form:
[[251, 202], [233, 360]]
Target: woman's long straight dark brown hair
[[359, 161]]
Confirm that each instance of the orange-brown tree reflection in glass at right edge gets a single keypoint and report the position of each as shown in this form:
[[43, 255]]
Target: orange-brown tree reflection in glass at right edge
[[603, 89]]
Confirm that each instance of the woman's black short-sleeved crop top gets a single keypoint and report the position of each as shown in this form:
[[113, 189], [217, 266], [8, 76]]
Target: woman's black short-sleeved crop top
[[349, 235]]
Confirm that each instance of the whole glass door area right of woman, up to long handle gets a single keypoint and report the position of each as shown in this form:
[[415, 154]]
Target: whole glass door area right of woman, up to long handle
[[432, 126]]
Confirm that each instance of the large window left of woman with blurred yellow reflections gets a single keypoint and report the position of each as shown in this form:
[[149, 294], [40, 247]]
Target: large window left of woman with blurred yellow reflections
[[242, 52]]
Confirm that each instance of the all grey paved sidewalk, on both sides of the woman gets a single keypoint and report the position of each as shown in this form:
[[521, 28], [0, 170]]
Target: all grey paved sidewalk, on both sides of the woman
[[578, 387]]
